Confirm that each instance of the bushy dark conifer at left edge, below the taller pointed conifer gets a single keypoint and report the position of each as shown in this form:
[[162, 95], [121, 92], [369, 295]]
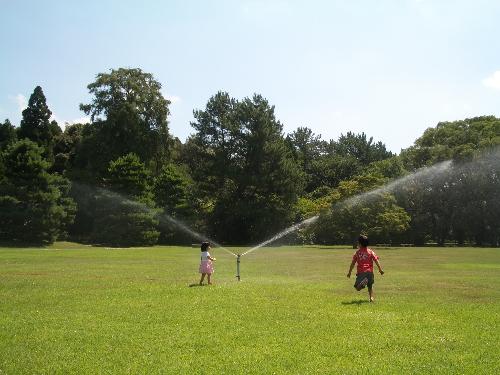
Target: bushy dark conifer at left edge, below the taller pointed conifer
[[34, 205]]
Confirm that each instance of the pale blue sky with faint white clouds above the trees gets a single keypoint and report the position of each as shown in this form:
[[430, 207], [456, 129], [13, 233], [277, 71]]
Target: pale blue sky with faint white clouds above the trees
[[390, 69]]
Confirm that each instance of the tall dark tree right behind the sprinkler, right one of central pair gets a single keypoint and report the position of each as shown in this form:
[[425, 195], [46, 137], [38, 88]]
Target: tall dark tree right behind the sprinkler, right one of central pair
[[269, 186]]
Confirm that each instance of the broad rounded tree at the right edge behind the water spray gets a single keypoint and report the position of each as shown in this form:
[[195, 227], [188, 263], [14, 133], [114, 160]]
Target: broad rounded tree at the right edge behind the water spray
[[455, 203]]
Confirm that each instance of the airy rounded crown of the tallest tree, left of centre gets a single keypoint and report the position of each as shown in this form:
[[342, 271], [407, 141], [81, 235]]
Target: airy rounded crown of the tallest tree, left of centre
[[129, 114]]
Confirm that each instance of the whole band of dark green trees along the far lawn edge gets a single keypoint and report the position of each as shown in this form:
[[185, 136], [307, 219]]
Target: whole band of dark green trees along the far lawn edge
[[123, 179]]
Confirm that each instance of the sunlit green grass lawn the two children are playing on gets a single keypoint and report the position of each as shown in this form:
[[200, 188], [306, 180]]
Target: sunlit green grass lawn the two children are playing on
[[76, 309]]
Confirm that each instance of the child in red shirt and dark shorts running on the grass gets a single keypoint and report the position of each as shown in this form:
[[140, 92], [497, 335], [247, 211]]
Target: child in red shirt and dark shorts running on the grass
[[364, 275]]
